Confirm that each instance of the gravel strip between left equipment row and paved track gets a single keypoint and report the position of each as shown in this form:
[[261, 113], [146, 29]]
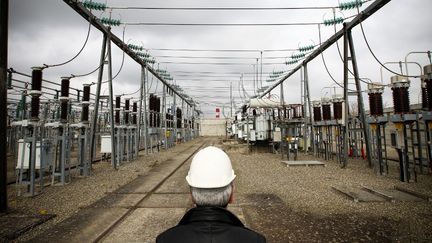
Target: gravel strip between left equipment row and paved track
[[63, 201]]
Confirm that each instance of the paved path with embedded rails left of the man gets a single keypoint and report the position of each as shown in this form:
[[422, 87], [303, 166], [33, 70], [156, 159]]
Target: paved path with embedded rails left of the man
[[129, 213]]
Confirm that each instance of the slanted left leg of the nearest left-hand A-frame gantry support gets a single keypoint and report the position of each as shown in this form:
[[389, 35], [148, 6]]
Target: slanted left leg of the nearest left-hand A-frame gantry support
[[96, 104]]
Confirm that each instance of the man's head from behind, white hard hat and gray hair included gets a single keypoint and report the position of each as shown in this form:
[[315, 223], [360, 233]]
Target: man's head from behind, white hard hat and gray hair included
[[210, 178]]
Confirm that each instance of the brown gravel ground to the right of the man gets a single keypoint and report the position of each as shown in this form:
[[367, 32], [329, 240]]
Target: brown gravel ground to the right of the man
[[313, 212]]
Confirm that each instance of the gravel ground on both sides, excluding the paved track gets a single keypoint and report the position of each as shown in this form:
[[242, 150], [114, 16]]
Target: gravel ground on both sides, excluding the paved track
[[301, 206]]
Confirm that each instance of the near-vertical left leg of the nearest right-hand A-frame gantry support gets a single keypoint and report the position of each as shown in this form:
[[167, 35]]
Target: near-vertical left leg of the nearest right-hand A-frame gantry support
[[344, 127]]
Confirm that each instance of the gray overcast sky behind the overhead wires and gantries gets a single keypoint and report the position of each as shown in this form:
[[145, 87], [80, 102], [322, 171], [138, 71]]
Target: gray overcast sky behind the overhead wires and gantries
[[49, 32]]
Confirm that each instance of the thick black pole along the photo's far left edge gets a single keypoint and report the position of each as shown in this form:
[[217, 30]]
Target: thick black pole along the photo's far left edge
[[4, 17]]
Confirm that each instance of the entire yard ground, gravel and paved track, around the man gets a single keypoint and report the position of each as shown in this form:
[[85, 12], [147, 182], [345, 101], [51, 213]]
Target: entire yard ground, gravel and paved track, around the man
[[286, 204]]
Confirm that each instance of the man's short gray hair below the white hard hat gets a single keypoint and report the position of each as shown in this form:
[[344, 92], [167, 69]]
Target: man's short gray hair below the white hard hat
[[213, 197]]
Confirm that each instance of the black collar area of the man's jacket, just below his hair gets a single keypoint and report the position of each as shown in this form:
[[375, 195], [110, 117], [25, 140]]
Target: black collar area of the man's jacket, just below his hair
[[210, 214]]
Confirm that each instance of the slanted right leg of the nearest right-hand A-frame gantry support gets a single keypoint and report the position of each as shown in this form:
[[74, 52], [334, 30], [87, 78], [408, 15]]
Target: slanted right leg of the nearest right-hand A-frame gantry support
[[360, 100]]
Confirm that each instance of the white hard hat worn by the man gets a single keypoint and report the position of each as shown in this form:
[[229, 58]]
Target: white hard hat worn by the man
[[210, 168]]
